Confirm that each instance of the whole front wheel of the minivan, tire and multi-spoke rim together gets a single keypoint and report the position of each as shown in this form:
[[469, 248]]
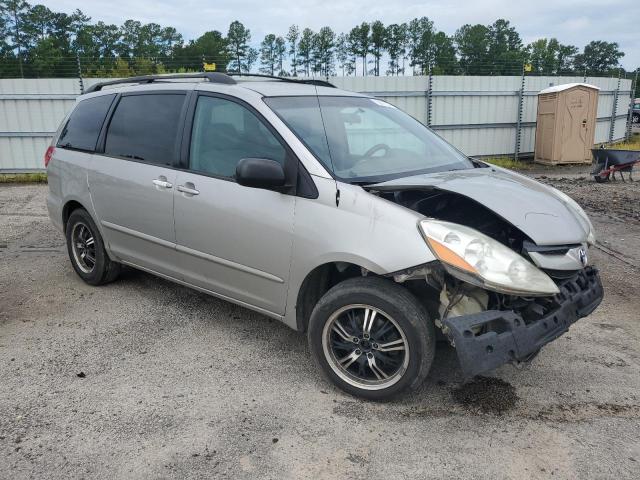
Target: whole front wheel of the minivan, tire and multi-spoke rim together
[[372, 338]]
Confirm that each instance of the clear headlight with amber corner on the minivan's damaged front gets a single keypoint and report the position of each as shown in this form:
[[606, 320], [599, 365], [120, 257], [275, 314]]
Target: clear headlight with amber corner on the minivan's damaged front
[[476, 258]]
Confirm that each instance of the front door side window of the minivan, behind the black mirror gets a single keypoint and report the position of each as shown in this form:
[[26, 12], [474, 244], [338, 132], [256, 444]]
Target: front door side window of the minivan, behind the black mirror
[[225, 132]]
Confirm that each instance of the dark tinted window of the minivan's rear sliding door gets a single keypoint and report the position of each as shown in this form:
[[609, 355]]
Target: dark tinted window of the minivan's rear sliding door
[[145, 128]]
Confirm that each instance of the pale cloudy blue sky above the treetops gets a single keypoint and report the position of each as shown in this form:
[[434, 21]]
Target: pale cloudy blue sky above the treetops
[[570, 21]]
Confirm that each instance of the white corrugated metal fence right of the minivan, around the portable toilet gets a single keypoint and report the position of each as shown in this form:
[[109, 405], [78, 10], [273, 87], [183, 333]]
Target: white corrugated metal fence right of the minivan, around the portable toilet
[[481, 115]]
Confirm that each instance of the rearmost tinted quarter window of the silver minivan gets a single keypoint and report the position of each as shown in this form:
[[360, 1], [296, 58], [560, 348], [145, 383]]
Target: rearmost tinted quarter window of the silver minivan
[[83, 127]]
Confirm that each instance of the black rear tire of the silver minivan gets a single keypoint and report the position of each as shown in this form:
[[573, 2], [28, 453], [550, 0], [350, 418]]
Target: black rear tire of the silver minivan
[[103, 270]]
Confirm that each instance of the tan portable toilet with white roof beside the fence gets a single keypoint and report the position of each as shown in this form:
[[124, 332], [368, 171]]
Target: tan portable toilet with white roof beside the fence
[[566, 123]]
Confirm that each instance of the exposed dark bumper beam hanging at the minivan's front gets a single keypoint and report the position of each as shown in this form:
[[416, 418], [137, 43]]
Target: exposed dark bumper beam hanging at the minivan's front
[[486, 340]]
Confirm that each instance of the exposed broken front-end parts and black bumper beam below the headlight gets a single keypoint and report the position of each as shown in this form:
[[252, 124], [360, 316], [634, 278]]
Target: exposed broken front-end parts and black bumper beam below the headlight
[[489, 329]]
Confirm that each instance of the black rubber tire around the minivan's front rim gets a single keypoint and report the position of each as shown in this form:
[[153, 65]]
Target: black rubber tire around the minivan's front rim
[[391, 300]]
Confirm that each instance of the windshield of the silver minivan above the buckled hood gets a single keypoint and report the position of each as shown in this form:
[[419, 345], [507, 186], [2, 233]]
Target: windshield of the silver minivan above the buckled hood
[[364, 139]]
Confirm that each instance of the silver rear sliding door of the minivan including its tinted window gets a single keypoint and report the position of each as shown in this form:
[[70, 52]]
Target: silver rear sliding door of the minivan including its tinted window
[[132, 181]]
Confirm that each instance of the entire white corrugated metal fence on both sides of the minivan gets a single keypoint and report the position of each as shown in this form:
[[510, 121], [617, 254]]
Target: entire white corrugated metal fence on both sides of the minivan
[[479, 115]]
